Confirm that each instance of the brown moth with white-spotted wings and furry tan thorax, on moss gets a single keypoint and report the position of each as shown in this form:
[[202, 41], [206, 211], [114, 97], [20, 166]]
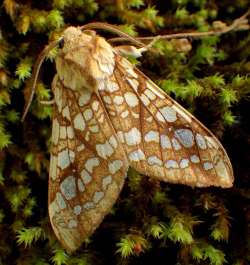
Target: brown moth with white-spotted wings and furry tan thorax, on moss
[[108, 116]]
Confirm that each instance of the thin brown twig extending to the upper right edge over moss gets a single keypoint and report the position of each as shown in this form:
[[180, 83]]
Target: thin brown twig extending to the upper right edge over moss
[[240, 23]]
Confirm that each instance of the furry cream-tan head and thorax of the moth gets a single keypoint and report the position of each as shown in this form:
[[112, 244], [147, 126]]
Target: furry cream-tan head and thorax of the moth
[[84, 60]]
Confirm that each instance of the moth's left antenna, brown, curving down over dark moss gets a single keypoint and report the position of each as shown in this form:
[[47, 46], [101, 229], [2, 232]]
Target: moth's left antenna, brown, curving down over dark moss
[[35, 73]]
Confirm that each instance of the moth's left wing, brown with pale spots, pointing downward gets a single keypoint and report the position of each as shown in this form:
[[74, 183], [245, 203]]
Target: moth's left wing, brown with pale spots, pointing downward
[[87, 167]]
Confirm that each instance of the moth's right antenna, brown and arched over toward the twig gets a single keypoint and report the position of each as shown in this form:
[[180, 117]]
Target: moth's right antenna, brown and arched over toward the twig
[[113, 29]]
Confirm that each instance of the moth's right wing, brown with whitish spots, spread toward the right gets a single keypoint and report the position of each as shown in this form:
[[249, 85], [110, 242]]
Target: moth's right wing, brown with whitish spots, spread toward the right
[[161, 138]]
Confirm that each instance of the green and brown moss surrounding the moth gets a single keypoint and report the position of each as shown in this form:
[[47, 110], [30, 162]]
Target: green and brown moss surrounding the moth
[[151, 223]]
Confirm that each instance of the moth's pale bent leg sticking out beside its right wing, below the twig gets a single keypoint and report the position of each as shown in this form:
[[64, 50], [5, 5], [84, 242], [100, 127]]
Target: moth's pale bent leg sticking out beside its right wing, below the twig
[[129, 50]]
